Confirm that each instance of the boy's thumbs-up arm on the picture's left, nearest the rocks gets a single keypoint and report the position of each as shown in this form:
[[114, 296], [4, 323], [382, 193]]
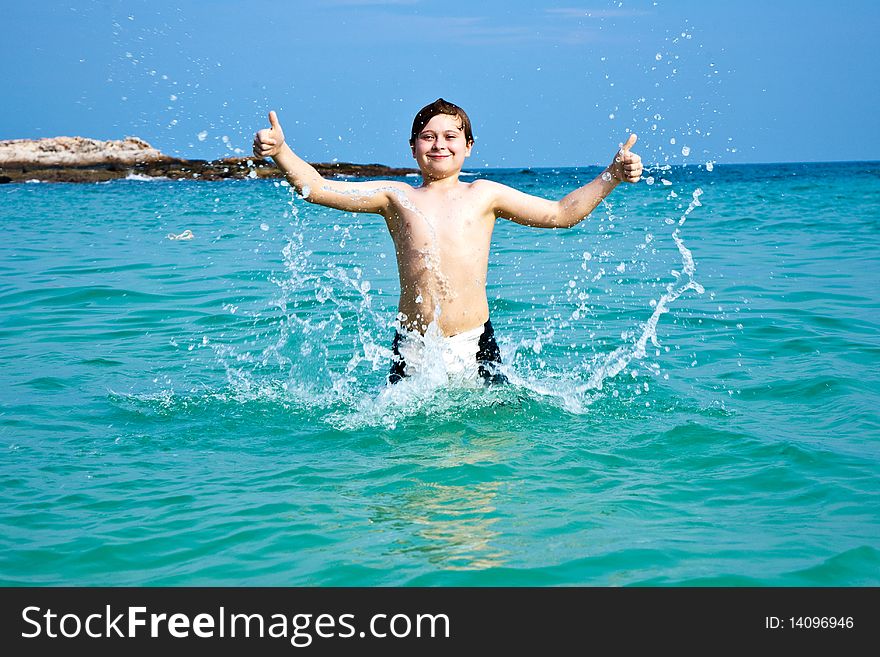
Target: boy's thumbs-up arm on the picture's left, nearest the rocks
[[371, 196]]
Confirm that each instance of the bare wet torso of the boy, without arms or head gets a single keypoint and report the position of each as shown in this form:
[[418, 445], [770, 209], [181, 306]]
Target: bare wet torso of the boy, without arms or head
[[442, 242]]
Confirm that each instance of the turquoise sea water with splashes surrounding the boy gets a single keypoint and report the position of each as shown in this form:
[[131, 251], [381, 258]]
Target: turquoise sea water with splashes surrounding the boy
[[210, 411]]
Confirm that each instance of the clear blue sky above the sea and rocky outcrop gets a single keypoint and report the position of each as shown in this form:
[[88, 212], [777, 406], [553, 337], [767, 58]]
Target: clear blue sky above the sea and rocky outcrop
[[545, 83]]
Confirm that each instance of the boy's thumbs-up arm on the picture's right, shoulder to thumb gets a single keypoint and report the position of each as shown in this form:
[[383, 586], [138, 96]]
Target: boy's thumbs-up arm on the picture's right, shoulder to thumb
[[531, 210]]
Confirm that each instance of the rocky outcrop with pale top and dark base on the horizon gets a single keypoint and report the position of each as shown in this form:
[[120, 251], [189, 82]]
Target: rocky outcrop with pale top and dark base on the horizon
[[77, 159]]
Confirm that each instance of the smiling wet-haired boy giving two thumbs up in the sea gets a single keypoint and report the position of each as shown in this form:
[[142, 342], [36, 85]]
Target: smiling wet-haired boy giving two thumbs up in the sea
[[441, 232]]
